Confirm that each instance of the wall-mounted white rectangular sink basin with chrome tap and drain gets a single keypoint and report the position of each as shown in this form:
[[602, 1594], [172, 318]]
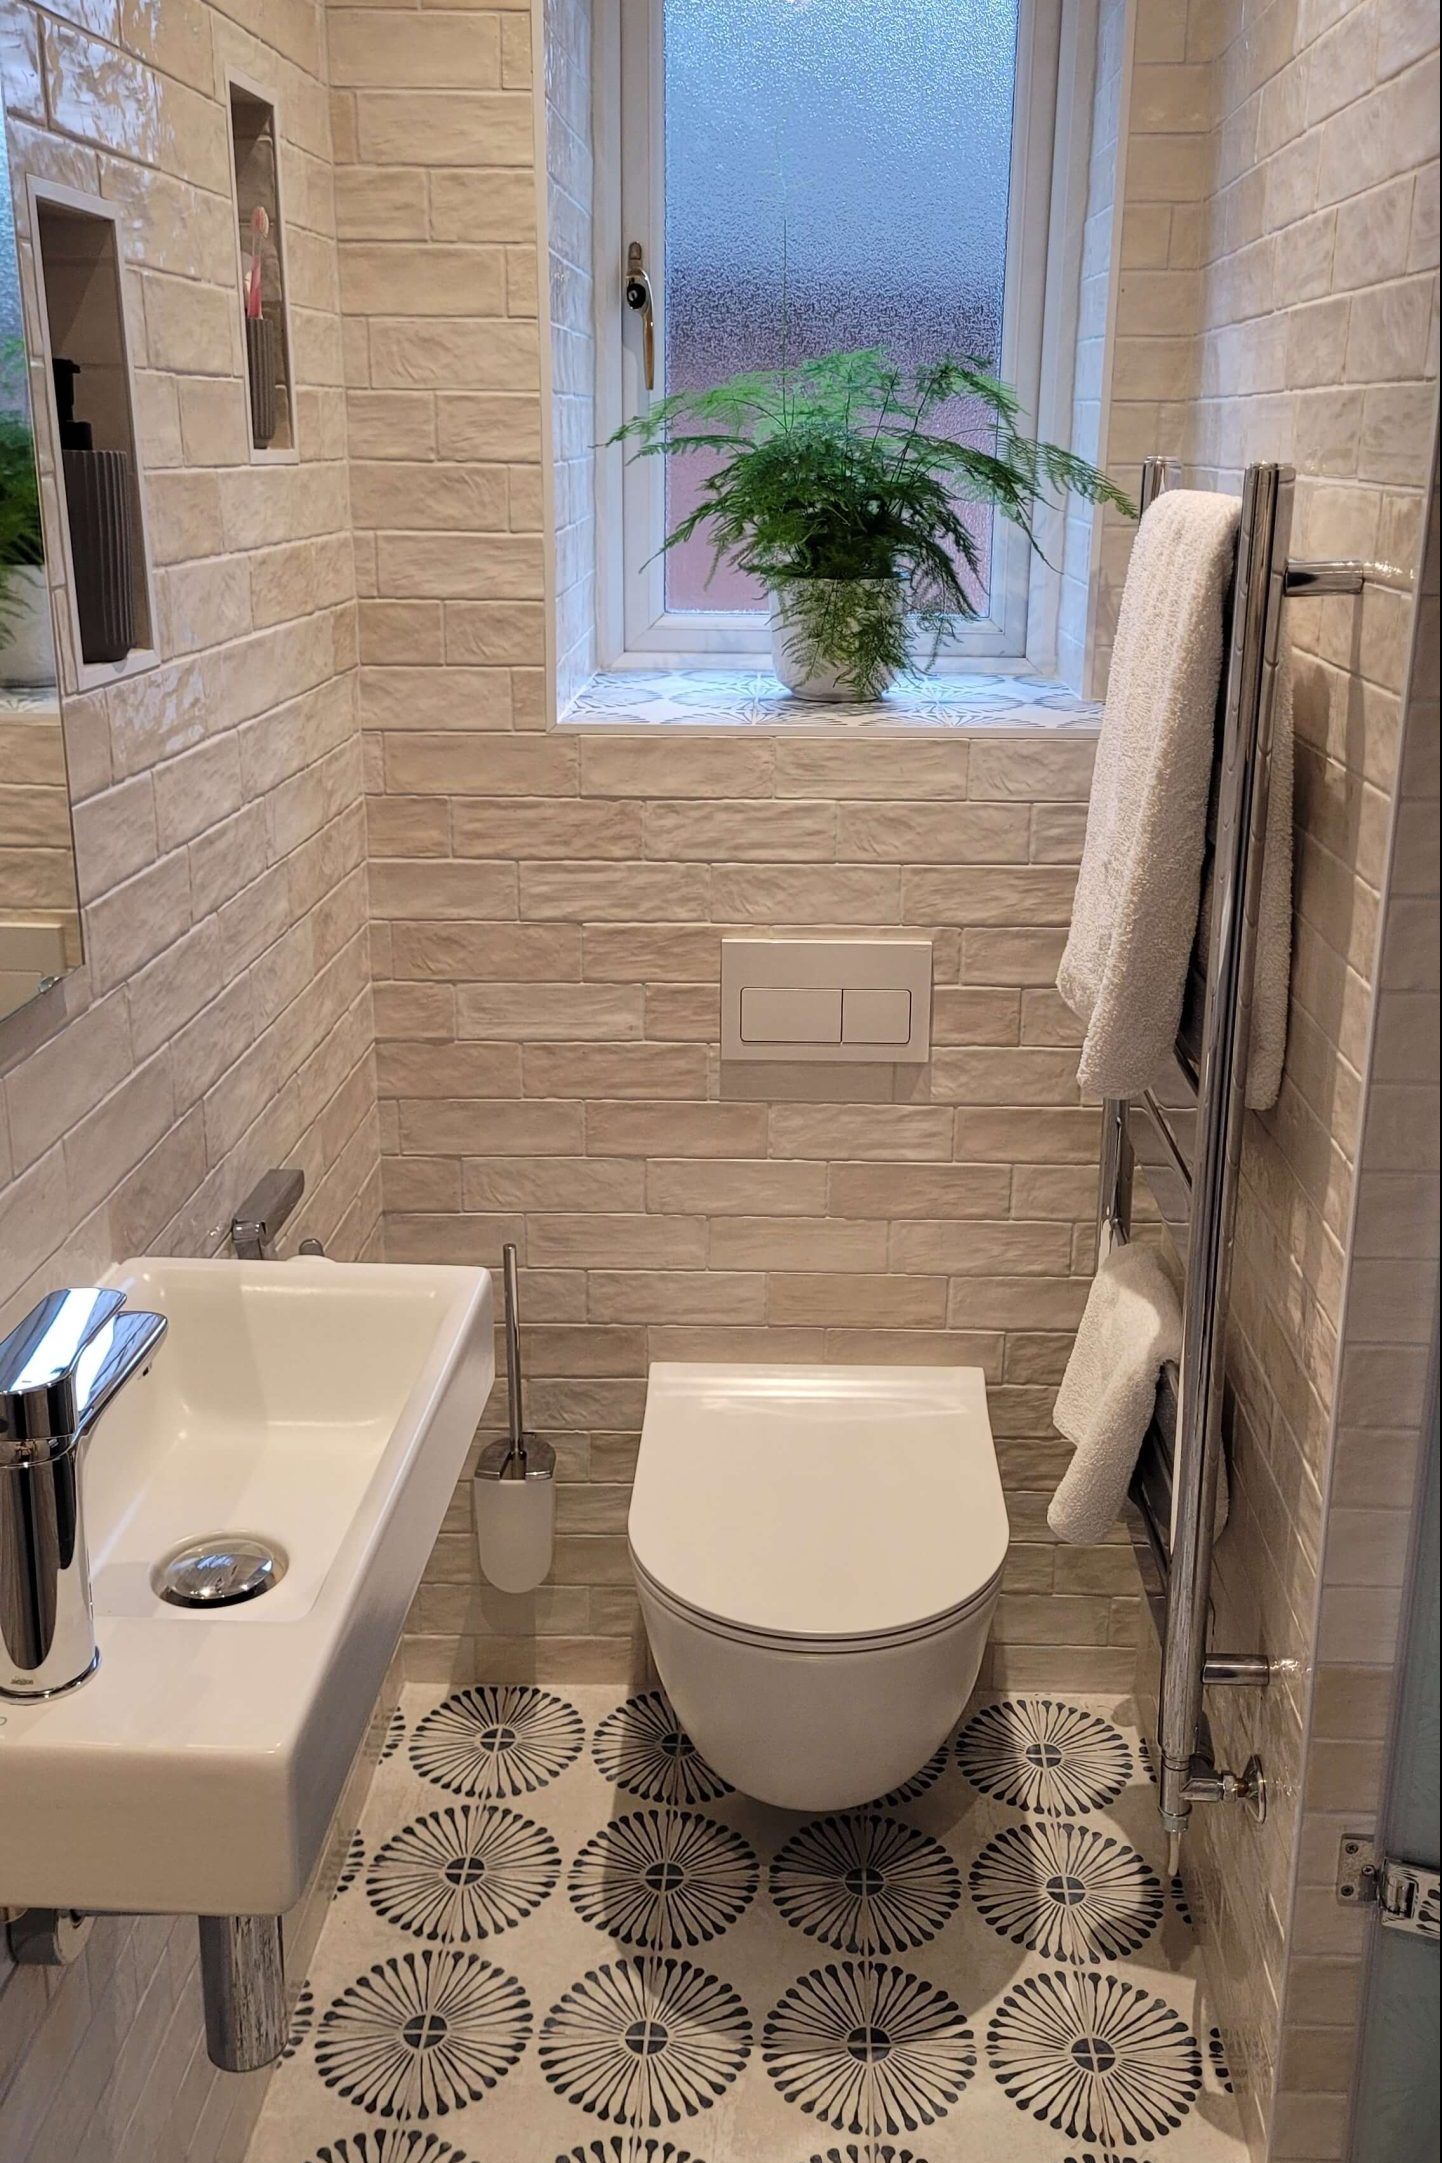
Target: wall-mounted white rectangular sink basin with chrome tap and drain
[[325, 1409]]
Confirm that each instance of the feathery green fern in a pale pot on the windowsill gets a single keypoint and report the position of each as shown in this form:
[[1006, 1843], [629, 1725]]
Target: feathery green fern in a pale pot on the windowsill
[[833, 488]]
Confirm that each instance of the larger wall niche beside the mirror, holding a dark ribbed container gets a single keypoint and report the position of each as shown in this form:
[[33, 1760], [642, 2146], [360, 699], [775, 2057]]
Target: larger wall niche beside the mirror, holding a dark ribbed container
[[92, 427]]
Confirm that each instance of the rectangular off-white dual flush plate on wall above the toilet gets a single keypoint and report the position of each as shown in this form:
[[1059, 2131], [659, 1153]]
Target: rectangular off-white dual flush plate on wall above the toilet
[[827, 1000]]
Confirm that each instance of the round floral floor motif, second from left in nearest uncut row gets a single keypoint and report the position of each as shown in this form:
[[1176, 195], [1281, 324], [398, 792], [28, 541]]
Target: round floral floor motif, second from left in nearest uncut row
[[645, 2043]]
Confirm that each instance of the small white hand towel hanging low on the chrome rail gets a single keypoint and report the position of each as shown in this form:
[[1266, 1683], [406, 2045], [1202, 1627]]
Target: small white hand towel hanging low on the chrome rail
[[1132, 1327]]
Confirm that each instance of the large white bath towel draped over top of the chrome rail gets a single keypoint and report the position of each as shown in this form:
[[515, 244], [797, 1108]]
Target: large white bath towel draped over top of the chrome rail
[[1140, 886]]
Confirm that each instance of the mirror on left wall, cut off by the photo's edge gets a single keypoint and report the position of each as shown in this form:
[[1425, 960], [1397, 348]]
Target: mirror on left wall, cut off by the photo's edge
[[40, 920]]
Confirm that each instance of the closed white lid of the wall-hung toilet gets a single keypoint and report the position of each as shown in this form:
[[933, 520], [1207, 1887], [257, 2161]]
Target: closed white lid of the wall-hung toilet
[[818, 1502]]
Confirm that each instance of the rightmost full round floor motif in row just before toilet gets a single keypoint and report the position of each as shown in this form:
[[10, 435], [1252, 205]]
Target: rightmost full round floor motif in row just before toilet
[[1067, 1892]]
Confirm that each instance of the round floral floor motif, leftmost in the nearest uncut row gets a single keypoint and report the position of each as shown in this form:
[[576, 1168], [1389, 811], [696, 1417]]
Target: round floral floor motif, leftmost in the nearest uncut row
[[423, 2034]]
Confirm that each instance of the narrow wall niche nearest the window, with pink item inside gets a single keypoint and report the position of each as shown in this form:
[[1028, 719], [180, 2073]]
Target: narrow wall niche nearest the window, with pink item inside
[[261, 233]]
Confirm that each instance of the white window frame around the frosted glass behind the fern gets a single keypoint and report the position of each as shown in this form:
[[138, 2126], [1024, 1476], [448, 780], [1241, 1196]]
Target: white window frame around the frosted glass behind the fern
[[635, 631]]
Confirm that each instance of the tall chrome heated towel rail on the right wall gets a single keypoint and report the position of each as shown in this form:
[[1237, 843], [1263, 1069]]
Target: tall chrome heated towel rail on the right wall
[[1186, 1137]]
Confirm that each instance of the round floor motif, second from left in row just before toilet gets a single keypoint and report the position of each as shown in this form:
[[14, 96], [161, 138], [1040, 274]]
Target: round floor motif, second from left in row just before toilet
[[665, 1881]]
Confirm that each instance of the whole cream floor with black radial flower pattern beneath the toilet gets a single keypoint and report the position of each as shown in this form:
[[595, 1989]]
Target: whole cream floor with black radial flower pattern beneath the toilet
[[563, 1939]]
